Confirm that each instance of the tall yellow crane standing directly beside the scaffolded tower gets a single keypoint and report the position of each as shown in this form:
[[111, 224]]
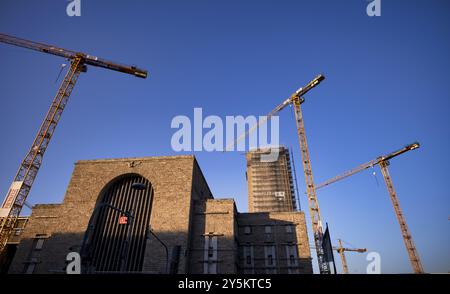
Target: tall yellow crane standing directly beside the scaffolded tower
[[296, 100]]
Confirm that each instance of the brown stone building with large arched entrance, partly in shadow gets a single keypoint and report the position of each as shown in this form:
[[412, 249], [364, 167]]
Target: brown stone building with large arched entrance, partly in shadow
[[157, 215]]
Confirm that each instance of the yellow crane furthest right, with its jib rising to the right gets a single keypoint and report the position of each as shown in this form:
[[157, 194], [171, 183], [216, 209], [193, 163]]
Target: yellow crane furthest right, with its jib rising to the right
[[383, 162]]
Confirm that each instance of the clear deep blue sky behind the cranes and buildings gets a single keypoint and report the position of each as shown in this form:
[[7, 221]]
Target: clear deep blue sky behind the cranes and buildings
[[387, 84]]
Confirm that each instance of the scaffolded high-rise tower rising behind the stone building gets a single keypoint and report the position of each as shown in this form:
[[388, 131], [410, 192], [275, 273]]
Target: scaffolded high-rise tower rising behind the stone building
[[270, 181]]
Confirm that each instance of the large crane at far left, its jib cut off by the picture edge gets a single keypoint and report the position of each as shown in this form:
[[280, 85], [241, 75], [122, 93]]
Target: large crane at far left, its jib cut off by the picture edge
[[29, 167]]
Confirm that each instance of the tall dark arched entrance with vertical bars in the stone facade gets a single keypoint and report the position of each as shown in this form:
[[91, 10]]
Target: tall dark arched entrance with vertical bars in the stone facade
[[116, 237]]
